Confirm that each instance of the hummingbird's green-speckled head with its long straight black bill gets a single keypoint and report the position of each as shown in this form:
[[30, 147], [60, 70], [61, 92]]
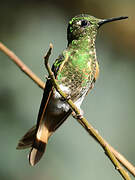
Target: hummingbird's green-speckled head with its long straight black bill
[[85, 25]]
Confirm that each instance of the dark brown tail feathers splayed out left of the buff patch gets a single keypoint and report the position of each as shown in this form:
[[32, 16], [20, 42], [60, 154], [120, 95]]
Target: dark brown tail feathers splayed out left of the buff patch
[[27, 140]]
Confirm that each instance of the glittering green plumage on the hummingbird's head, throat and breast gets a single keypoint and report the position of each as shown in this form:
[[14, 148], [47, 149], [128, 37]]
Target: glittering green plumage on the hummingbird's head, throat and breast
[[77, 71]]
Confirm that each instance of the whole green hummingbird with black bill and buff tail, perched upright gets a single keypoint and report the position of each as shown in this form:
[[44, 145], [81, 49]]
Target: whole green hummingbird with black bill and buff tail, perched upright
[[76, 76]]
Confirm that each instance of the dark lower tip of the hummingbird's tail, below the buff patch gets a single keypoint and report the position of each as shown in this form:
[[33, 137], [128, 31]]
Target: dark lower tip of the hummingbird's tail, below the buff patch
[[36, 153]]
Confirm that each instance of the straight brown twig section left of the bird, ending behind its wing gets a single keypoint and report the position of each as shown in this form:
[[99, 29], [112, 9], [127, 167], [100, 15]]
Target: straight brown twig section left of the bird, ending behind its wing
[[22, 66]]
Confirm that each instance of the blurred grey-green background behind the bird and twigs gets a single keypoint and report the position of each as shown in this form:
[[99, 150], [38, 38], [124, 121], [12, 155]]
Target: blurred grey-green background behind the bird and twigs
[[27, 27]]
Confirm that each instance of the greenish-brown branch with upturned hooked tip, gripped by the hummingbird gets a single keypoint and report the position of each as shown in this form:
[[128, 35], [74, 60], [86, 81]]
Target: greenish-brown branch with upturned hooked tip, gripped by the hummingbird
[[84, 122]]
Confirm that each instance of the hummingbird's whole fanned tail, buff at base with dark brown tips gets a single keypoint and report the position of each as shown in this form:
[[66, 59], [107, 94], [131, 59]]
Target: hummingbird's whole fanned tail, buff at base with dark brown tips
[[37, 140]]
